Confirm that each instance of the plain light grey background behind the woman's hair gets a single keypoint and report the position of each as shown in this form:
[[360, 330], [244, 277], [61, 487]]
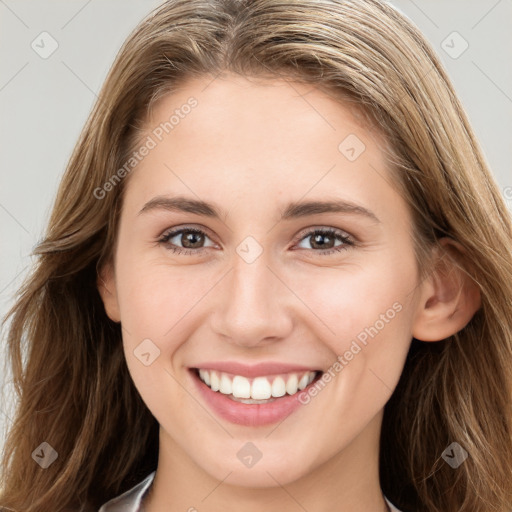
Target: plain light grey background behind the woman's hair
[[44, 102]]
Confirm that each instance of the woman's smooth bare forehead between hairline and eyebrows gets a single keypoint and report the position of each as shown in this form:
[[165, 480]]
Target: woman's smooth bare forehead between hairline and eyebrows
[[232, 137]]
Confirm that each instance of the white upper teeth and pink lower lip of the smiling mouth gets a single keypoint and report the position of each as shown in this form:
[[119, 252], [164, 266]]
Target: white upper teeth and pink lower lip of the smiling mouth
[[253, 401]]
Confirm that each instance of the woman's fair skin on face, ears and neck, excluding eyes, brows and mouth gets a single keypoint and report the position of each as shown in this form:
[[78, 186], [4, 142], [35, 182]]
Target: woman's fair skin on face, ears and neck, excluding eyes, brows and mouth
[[251, 147]]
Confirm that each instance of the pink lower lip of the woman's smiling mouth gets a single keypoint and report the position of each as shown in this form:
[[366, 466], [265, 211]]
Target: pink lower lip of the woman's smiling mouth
[[250, 415]]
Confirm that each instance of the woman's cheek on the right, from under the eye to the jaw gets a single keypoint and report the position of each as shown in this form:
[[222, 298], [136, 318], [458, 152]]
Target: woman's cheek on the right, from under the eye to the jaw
[[365, 315]]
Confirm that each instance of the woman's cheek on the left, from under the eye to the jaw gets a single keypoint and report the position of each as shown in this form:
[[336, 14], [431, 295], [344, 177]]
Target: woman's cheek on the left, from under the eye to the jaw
[[156, 303]]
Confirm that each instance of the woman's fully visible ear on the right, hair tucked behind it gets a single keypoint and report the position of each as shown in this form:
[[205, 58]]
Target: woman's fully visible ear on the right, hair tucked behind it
[[449, 296]]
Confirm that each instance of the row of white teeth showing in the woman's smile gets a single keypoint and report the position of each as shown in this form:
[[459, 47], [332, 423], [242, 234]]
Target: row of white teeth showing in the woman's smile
[[260, 388]]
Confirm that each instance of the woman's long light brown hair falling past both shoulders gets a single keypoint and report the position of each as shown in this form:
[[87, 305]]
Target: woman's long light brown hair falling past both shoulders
[[75, 392]]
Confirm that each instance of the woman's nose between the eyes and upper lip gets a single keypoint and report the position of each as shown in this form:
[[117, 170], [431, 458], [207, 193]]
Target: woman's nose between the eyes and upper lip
[[253, 305]]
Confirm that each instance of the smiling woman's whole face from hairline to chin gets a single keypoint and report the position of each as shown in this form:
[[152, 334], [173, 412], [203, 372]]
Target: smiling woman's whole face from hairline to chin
[[262, 275]]
